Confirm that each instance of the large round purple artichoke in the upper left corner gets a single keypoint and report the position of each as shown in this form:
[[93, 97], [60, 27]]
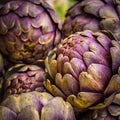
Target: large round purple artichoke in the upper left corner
[[29, 29]]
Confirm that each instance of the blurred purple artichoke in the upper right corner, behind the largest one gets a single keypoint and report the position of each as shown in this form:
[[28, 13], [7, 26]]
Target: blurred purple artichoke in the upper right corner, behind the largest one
[[94, 15]]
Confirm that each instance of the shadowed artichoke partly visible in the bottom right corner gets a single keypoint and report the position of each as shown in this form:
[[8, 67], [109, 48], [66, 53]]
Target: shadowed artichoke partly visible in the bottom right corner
[[112, 112]]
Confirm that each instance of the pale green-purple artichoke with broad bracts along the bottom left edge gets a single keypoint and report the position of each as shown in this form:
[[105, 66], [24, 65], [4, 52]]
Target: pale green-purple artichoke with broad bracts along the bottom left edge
[[35, 106]]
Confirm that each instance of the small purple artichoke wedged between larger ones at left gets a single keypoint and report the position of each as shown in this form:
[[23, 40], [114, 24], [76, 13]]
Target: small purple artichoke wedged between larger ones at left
[[23, 78]]
